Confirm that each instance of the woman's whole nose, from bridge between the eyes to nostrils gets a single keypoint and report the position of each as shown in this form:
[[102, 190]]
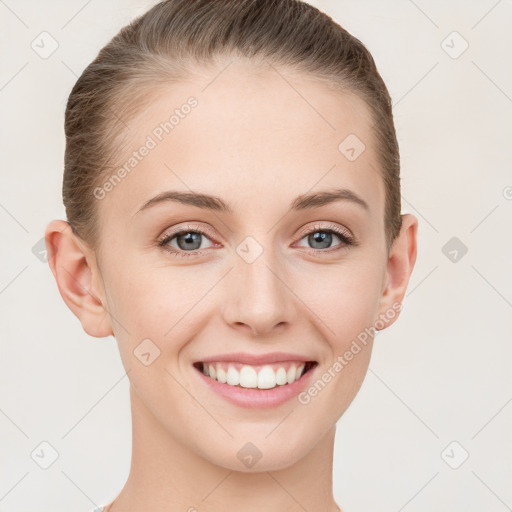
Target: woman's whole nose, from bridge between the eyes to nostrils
[[258, 295]]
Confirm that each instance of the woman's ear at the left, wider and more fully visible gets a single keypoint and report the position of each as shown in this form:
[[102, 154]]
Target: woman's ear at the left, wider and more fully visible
[[78, 278]]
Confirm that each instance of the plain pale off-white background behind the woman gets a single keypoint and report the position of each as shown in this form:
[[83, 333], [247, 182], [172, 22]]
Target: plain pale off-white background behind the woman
[[440, 374]]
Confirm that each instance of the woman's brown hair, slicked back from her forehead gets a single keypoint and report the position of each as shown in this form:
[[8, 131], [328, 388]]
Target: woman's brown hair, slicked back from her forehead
[[163, 45]]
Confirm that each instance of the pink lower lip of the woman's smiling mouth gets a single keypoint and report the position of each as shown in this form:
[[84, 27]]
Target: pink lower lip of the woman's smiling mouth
[[257, 398]]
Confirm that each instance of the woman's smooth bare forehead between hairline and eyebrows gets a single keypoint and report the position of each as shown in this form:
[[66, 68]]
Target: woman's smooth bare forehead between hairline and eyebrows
[[252, 137]]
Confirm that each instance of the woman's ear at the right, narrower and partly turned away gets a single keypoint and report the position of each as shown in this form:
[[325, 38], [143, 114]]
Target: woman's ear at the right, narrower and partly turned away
[[401, 260]]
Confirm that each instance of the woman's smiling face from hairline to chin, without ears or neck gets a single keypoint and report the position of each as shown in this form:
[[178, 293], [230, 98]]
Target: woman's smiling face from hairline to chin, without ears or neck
[[263, 275]]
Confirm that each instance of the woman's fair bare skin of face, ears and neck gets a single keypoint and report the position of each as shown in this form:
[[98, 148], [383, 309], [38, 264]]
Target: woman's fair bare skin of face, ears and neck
[[257, 144]]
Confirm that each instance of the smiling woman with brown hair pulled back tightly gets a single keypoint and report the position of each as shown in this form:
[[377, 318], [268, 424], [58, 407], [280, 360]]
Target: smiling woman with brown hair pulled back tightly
[[232, 191]]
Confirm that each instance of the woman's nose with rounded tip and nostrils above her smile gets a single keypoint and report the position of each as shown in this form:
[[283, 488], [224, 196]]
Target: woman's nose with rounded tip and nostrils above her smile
[[258, 297]]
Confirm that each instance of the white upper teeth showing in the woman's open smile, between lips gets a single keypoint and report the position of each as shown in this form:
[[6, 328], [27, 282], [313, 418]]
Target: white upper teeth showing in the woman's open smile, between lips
[[266, 376]]
